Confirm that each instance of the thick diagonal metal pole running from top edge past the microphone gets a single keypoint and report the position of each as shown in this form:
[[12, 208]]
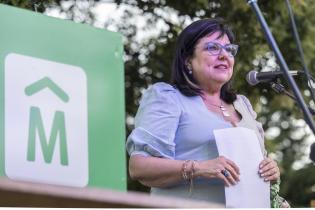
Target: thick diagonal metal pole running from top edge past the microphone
[[284, 67]]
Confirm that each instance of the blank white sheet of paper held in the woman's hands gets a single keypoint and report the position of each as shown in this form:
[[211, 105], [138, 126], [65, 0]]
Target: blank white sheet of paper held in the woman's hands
[[241, 145]]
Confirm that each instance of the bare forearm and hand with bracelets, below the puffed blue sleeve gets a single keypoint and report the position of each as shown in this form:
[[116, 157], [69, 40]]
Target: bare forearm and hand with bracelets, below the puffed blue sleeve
[[161, 172]]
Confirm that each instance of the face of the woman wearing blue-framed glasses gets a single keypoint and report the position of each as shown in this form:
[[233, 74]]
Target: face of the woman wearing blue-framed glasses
[[208, 69]]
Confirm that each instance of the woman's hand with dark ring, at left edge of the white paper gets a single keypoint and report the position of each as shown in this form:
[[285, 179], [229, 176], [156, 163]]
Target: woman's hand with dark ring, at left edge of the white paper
[[216, 168]]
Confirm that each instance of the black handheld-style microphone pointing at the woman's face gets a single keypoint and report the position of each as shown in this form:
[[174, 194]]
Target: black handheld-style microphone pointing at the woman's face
[[254, 77]]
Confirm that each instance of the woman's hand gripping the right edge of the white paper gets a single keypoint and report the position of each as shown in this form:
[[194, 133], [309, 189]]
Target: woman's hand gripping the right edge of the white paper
[[269, 170]]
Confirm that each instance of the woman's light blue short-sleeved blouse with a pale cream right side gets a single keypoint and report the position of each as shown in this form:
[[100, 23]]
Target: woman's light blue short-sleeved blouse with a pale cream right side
[[171, 125]]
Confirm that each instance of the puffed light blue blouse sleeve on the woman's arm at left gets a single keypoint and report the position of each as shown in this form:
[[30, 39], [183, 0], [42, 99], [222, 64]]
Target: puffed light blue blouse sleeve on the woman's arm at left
[[156, 123]]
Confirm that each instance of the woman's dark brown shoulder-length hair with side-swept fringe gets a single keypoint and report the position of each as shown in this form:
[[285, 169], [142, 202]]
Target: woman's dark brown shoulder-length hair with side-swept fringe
[[185, 46]]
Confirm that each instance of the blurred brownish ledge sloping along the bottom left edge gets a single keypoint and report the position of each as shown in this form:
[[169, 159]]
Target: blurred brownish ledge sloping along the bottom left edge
[[23, 194]]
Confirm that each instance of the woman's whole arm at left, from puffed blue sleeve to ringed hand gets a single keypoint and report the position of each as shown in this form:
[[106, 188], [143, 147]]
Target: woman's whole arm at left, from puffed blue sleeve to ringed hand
[[152, 149]]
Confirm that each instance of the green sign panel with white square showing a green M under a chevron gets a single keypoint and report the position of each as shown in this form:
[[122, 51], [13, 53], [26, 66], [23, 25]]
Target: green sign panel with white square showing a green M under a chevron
[[61, 102]]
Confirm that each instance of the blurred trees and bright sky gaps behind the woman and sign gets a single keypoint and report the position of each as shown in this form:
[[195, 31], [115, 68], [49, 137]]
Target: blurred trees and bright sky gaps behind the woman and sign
[[150, 28]]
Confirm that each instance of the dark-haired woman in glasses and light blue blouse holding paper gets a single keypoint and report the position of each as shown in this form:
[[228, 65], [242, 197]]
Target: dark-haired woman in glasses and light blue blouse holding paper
[[172, 147]]
